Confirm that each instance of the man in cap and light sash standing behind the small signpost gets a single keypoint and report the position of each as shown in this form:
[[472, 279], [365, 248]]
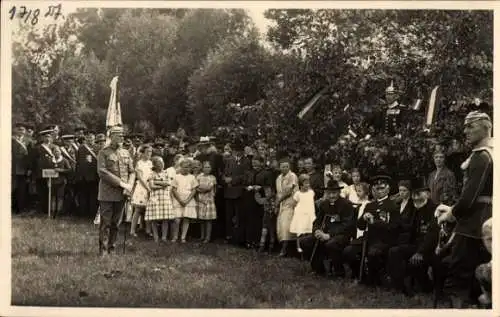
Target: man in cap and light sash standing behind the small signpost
[[42, 159]]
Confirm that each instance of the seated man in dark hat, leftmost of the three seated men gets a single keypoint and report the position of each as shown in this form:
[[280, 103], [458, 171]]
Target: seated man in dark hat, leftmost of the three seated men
[[332, 231]]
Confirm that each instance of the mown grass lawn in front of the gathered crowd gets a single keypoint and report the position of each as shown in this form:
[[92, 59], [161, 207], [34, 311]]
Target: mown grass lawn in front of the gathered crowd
[[55, 263]]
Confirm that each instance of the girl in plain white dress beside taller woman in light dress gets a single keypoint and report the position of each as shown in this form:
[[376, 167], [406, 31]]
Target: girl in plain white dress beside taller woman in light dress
[[304, 212]]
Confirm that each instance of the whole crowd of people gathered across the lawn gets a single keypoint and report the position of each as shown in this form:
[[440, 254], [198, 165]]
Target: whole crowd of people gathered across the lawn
[[387, 231]]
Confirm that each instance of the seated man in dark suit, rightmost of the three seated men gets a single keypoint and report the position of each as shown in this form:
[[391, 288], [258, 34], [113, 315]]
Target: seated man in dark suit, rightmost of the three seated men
[[417, 240]]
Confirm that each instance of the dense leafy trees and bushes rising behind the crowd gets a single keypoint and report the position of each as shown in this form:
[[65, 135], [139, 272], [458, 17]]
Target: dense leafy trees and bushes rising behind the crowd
[[210, 71]]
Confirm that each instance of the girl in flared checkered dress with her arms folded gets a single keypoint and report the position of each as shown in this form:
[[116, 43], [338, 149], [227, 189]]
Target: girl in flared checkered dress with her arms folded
[[159, 207]]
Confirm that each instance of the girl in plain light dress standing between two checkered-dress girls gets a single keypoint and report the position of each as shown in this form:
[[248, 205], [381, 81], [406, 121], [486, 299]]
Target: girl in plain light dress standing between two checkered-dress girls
[[184, 188]]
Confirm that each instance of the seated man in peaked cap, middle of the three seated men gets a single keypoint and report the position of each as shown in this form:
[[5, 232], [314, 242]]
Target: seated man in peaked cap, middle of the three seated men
[[381, 220]]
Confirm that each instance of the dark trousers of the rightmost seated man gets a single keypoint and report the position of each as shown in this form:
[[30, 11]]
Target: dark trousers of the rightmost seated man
[[398, 267]]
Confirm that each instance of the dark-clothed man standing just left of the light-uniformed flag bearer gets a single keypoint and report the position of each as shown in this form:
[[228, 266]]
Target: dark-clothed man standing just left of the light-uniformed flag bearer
[[86, 177]]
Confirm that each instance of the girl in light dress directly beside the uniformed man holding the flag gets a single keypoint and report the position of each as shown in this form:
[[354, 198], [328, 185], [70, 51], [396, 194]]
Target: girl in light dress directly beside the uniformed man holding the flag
[[140, 196]]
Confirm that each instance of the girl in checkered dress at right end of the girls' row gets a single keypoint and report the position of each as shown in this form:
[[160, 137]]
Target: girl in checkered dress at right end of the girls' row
[[206, 201]]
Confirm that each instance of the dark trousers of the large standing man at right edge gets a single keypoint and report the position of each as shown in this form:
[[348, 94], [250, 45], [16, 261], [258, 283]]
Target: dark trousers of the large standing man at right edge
[[465, 256]]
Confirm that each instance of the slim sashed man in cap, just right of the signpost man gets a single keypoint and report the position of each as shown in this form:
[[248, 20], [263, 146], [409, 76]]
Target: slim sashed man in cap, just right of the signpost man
[[69, 153]]
